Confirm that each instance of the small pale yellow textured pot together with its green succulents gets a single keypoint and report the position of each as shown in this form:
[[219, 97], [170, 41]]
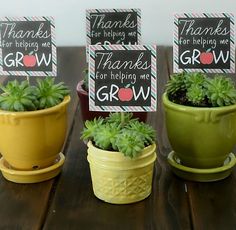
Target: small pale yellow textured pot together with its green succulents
[[121, 154]]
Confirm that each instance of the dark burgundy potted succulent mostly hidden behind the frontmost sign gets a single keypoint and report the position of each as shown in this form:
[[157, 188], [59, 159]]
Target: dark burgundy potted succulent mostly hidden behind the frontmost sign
[[82, 92]]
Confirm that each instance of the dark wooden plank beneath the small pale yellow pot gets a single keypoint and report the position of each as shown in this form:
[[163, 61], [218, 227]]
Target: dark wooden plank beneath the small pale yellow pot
[[75, 207]]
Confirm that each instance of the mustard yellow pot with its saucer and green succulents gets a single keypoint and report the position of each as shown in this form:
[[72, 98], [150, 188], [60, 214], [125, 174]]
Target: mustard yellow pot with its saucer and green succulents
[[33, 122]]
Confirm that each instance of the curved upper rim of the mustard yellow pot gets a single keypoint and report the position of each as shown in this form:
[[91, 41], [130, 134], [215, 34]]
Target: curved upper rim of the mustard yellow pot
[[65, 101]]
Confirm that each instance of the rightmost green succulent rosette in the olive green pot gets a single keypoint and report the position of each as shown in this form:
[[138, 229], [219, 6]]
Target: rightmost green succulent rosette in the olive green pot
[[221, 91]]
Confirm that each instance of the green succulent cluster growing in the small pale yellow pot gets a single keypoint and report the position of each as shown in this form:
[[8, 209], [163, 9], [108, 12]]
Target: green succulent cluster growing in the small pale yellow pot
[[119, 132]]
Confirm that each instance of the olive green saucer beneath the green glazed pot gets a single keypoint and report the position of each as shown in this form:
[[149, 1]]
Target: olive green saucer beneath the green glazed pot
[[201, 175]]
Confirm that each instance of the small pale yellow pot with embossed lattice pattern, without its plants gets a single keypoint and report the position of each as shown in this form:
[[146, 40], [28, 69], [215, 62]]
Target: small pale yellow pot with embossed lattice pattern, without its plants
[[118, 179]]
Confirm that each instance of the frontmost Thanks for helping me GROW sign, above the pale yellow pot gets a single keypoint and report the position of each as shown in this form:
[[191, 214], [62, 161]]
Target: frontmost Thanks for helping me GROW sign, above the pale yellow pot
[[122, 78]]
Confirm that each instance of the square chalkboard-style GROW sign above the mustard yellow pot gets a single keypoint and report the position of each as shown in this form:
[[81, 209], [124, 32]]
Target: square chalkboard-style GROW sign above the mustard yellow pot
[[27, 46]]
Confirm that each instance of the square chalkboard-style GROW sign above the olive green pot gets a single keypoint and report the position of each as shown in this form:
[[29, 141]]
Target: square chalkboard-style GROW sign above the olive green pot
[[204, 43]]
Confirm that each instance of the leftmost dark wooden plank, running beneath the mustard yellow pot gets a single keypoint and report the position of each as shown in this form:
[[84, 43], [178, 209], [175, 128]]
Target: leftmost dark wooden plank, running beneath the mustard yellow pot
[[24, 206]]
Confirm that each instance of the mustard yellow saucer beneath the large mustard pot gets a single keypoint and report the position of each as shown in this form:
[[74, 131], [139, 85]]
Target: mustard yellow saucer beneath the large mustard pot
[[31, 176]]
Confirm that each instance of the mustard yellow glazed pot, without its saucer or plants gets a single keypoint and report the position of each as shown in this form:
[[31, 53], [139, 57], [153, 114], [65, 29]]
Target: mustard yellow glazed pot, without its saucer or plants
[[33, 140]]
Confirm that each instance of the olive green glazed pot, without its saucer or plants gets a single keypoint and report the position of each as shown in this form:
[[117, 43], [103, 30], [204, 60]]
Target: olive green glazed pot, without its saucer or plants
[[200, 137]]
